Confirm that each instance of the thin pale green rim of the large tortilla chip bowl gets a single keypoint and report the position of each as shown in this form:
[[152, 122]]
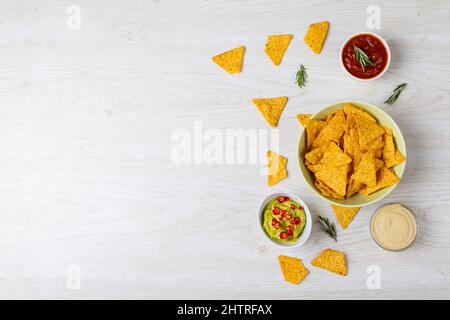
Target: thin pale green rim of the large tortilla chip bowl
[[330, 200]]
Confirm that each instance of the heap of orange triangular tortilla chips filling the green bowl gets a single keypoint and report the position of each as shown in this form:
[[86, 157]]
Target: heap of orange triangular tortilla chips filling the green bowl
[[350, 153]]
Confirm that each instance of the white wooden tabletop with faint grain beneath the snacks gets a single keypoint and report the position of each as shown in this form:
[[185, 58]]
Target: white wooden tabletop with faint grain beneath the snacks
[[92, 204]]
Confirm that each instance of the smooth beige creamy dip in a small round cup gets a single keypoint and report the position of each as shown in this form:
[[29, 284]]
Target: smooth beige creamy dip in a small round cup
[[393, 227]]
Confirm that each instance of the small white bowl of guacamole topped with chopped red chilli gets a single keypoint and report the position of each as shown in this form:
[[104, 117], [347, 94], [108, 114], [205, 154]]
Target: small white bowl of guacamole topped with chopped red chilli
[[285, 219]]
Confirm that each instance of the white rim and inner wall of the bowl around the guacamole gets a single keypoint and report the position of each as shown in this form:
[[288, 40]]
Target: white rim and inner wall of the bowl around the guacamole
[[308, 226]]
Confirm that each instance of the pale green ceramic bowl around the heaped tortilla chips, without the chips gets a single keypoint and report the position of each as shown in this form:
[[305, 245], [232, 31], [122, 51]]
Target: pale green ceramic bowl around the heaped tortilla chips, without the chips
[[357, 200]]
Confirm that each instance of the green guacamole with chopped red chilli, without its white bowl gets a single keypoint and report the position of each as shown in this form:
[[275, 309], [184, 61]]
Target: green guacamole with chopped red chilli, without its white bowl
[[284, 219]]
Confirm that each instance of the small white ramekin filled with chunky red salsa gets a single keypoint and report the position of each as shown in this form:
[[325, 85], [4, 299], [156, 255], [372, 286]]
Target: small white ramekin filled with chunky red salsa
[[376, 49]]
